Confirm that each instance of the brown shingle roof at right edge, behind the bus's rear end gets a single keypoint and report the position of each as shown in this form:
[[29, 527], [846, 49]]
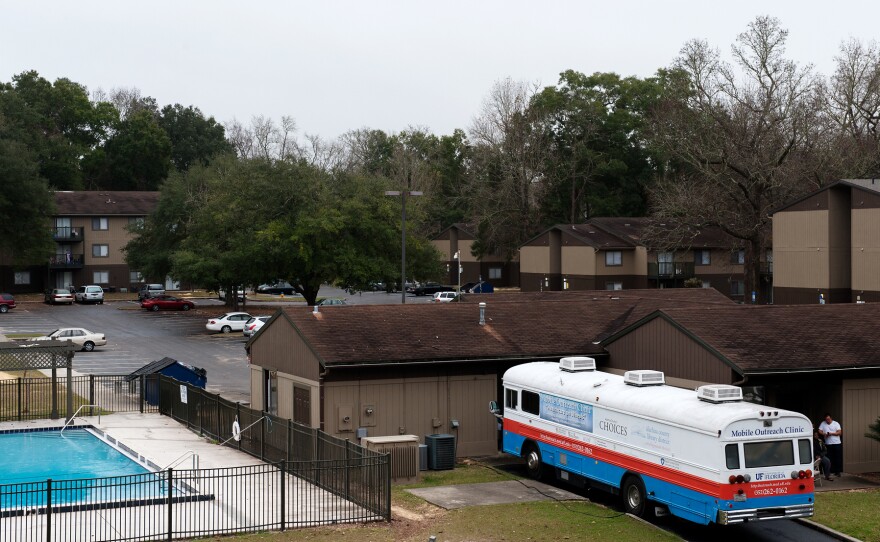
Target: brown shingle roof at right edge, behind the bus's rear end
[[783, 338]]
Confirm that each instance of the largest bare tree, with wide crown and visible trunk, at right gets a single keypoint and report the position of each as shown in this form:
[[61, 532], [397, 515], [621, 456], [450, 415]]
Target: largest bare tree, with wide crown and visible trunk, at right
[[743, 137]]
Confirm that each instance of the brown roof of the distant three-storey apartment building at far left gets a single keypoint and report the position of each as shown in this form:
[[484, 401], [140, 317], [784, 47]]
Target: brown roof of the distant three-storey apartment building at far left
[[106, 203]]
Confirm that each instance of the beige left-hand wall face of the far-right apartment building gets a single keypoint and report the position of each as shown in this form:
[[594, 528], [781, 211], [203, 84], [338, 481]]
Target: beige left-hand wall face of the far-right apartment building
[[801, 249]]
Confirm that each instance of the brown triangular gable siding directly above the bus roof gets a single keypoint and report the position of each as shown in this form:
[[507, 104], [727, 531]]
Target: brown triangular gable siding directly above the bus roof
[[660, 346]]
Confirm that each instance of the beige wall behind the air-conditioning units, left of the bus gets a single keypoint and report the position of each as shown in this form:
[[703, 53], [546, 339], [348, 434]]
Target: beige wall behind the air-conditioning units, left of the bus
[[417, 406]]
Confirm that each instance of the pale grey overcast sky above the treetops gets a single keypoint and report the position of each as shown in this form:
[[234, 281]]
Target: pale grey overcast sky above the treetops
[[338, 66]]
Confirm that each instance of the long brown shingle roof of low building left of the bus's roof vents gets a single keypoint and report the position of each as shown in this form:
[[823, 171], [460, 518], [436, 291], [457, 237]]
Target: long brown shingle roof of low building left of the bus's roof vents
[[569, 323]]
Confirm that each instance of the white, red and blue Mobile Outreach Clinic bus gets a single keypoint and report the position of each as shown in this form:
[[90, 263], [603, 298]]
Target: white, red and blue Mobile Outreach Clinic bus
[[705, 456]]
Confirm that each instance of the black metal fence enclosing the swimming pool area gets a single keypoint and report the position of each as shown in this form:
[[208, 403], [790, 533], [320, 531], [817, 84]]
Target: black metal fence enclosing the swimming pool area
[[309, 478]]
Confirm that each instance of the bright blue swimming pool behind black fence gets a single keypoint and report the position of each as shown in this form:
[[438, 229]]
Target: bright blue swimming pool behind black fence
[[81, 466]]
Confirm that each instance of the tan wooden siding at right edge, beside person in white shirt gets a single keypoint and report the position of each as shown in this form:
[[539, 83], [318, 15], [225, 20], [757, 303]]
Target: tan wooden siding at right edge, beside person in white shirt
[[861, 405]]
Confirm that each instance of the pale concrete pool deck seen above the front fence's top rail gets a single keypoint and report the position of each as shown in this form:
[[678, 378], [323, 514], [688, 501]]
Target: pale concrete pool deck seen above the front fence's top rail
[[159, 439]]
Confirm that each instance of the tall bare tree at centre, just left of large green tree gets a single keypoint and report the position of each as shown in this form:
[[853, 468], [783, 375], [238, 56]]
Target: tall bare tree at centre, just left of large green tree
[[506, 174]]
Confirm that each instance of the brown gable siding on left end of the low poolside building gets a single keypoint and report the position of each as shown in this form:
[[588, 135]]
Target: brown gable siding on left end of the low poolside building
[[280, 348]]
